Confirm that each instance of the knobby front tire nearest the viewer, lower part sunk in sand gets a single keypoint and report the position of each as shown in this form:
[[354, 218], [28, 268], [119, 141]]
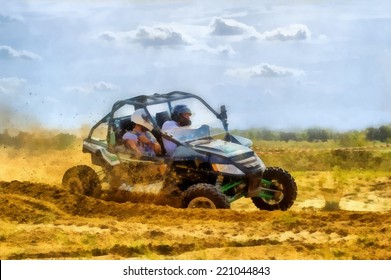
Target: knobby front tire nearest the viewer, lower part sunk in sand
[[204, 196]]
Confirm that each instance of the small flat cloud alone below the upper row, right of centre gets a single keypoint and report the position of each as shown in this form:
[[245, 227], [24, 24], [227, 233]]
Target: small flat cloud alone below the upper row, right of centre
[[264, 70]]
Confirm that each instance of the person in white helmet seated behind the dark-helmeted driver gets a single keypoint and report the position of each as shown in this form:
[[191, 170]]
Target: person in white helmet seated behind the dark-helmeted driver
[[140, 139]]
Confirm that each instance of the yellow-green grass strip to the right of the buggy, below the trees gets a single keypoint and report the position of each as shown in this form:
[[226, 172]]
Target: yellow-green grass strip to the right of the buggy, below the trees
[[323, 156]]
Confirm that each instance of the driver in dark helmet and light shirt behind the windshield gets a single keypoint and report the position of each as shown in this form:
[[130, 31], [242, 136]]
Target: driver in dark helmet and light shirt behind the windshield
[[180, 117]]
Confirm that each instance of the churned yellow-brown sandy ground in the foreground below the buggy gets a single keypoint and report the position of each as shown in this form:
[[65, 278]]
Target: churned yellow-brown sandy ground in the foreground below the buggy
[[40, 221]]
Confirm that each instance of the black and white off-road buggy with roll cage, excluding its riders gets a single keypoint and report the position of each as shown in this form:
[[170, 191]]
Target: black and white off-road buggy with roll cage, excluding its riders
[[211, 168]]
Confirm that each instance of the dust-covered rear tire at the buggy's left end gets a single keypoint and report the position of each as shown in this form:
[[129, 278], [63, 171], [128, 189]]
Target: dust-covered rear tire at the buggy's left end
[[82, 179]]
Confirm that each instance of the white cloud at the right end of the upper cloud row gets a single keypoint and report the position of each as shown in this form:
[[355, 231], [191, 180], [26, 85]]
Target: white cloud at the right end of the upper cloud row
[[291, 32]]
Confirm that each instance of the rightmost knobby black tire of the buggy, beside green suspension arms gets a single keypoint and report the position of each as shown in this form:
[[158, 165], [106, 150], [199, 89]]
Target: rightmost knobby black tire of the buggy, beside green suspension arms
[[285, 186]]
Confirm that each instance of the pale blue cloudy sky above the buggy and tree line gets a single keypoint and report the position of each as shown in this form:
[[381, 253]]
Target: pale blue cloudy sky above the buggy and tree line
[[277, 64]]
